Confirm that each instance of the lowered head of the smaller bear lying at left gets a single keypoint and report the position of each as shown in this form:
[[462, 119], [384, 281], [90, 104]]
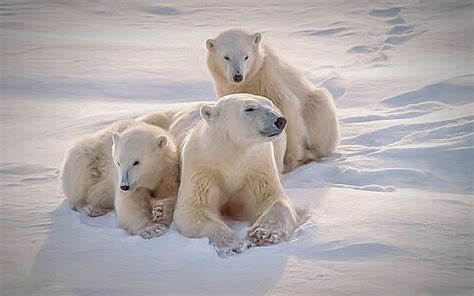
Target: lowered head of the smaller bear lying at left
[[135, 153]]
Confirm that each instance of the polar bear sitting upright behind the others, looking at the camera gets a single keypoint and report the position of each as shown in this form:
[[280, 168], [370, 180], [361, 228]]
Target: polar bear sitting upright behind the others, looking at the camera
[[239, 62]]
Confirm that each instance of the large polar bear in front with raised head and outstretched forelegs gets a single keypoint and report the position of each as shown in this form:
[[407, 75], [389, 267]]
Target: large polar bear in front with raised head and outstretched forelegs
[[228, 166]]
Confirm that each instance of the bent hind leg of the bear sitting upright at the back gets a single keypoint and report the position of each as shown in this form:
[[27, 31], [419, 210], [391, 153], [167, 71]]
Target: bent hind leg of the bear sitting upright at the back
[[321, 121]]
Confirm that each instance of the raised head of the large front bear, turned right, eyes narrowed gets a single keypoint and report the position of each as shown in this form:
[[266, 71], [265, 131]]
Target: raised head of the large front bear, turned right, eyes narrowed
[[245, 118]]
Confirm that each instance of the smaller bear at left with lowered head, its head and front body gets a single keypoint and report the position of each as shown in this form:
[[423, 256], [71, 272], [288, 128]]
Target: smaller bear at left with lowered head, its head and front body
[[147, 165]]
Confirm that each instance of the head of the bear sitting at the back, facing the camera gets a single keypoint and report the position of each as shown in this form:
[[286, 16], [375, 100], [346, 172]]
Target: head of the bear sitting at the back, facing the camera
[[235, 55]]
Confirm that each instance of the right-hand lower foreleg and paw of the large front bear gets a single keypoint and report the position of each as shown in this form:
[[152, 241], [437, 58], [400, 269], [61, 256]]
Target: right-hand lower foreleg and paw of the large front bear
[[275, 224]]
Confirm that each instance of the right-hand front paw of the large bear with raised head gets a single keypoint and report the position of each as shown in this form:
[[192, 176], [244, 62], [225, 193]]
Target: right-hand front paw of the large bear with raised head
[[266, 233]]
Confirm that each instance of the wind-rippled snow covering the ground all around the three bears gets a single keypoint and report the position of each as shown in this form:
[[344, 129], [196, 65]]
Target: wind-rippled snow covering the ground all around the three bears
[[391, 211]]
